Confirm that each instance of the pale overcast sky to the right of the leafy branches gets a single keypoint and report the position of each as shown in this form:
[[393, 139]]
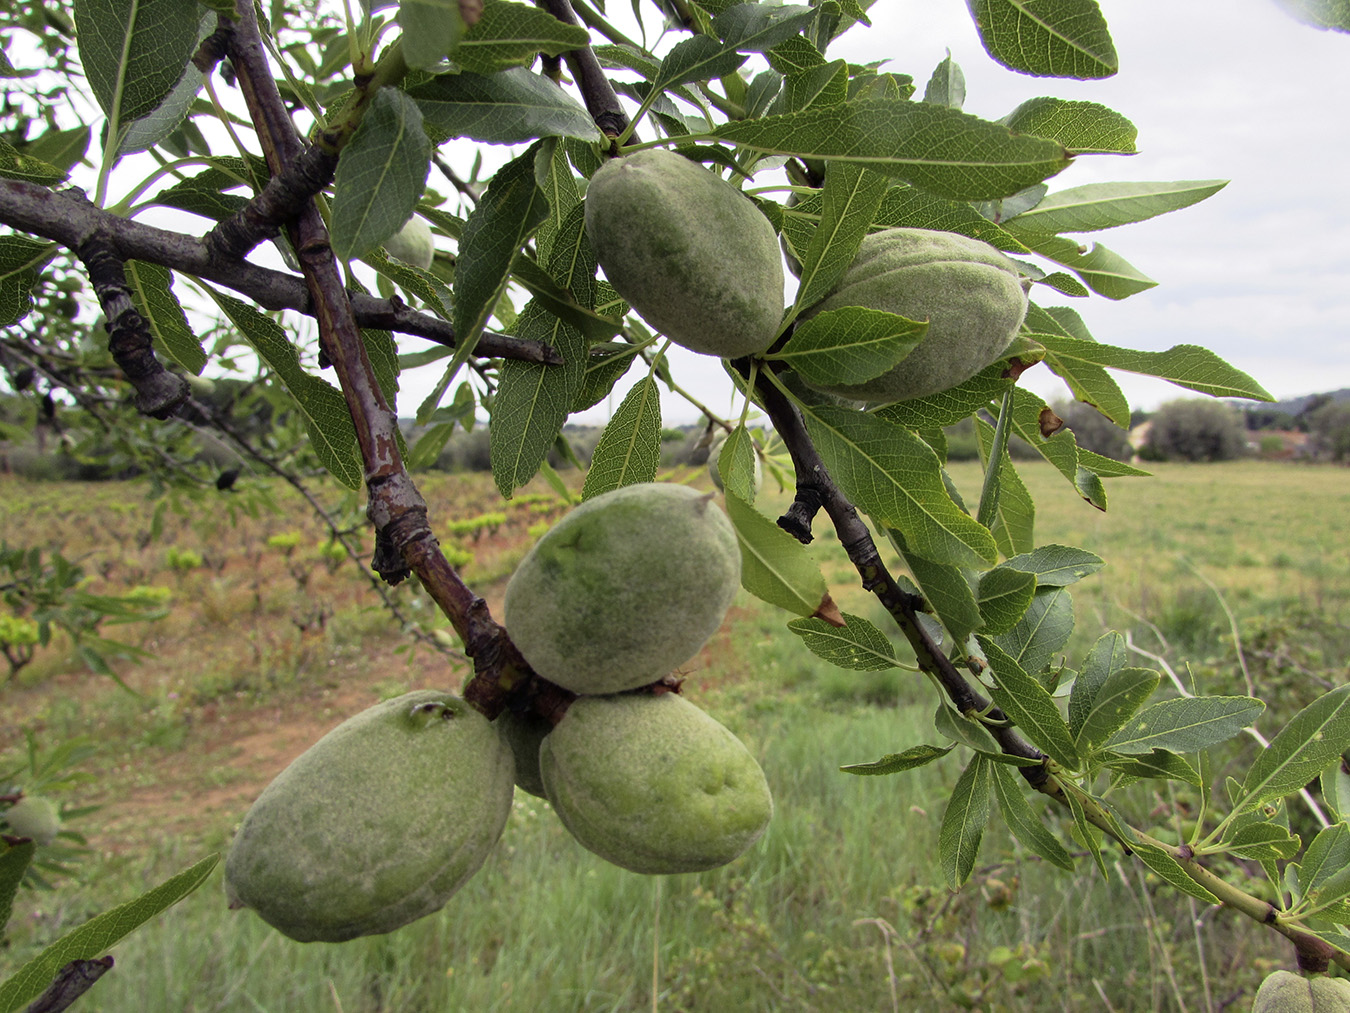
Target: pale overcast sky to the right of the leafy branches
[[1236, 91]]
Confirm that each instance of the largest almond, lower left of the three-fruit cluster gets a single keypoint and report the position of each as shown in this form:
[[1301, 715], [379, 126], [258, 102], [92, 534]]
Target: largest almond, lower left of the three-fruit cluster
[[377, 825]]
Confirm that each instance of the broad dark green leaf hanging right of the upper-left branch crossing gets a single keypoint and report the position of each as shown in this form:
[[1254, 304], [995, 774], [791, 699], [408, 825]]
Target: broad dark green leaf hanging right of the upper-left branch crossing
[[381, 175]]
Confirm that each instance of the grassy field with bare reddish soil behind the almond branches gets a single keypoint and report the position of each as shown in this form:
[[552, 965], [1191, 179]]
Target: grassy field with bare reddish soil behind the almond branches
[[842, 907]]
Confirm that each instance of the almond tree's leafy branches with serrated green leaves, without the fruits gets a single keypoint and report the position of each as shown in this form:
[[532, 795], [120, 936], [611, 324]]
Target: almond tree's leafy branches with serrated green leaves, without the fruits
[[319, 133]]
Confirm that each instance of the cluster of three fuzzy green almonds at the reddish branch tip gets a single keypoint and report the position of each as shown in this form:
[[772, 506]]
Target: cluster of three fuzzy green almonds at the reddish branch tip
[[385, 818]]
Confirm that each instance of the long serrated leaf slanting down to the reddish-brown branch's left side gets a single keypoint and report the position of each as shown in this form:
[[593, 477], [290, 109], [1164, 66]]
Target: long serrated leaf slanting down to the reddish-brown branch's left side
[[327, 421]]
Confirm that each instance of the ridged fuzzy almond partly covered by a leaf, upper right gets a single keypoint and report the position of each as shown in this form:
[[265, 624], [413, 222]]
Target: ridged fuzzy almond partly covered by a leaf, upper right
[[971, 295]]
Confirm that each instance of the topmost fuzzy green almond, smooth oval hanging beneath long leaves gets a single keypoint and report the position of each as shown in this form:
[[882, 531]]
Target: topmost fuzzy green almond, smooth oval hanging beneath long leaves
[[688, 251]]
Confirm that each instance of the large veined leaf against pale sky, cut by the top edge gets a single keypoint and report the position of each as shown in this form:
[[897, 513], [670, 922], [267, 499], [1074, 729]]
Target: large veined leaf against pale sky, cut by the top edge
[[1048, 38]]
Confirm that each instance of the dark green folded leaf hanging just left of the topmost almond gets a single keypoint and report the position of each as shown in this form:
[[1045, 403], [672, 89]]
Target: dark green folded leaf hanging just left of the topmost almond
[[507, 215]]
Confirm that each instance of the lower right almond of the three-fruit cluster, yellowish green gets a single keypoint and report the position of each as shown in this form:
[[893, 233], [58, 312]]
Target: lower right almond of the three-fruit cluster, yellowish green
[[653, 784]]
